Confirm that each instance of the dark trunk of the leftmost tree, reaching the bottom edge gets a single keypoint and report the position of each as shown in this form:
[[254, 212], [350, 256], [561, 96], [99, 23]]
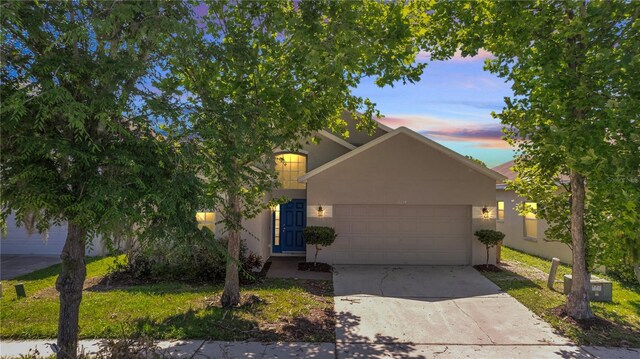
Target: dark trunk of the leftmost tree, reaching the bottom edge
[[69, 285]]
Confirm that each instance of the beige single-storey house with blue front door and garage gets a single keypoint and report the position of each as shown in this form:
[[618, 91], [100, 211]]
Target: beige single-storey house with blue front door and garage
[[394, 197]]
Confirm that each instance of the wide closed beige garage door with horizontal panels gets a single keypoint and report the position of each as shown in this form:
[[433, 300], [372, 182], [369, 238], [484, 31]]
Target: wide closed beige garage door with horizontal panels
[[402, 234]]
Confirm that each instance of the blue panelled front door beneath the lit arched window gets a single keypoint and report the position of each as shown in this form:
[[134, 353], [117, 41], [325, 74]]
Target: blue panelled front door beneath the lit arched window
[[293, 219]]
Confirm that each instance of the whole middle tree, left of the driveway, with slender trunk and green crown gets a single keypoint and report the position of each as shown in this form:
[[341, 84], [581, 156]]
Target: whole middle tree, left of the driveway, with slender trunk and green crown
[[252, 77]]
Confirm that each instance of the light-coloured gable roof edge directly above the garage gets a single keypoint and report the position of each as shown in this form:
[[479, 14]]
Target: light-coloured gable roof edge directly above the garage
[[403, 130]]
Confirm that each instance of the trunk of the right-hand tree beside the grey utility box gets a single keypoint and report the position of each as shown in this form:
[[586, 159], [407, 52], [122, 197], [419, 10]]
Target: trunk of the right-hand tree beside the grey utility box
[[578, 300]]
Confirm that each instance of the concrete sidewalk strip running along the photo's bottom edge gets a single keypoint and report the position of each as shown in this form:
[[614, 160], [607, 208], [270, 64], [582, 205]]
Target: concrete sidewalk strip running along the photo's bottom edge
[[233, 350]]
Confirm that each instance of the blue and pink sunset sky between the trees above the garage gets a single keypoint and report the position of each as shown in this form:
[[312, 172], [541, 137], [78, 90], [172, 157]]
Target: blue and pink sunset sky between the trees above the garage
[[451, 104]]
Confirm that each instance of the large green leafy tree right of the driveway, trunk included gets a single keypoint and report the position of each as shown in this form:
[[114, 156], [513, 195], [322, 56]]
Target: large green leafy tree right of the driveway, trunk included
[[574, 116]]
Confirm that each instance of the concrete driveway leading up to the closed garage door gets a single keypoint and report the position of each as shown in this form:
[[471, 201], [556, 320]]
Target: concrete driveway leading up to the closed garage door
[[421, 311]]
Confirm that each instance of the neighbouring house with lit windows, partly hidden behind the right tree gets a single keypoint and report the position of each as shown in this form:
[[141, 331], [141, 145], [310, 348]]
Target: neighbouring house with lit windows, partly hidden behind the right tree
[[524, 233]]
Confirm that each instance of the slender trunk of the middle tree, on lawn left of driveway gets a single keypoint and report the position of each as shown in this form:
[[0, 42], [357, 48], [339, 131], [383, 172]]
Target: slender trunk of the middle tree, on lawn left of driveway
[[231, 293]]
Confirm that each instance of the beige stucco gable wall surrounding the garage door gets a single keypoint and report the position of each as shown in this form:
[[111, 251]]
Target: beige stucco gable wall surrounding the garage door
[[403, 170]]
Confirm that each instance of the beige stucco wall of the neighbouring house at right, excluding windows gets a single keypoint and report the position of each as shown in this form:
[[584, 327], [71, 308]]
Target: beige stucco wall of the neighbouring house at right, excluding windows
[[513, 226]]
